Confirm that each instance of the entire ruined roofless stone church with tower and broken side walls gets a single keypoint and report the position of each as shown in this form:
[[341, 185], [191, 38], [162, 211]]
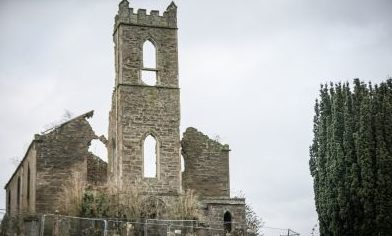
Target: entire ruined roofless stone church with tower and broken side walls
[[145, 106]]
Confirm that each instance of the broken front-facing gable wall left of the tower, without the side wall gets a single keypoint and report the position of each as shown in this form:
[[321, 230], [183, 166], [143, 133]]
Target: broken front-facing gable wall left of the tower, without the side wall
[[61, 154]]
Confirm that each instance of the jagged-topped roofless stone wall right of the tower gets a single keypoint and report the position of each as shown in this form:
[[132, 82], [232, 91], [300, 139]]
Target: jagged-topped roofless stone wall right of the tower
[[206, 165]]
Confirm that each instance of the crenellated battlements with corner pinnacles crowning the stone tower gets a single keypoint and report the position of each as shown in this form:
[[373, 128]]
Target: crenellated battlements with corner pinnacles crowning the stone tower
[[126, 15]]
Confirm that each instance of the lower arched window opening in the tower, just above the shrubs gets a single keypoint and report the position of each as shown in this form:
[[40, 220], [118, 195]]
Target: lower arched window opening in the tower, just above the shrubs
[[150, 157]]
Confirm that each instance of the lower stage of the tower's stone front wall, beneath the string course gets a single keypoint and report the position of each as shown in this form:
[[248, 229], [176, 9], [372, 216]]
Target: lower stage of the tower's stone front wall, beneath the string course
[[145, 111]]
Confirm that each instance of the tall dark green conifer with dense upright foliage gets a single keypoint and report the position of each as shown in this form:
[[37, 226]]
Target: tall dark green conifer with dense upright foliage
[[351, 159]]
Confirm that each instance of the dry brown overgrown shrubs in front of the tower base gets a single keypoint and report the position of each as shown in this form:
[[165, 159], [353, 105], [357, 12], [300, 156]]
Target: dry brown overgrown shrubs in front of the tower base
[[131, 203]]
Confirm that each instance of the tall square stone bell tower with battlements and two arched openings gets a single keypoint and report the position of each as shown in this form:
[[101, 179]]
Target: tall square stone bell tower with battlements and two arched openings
[[145, 101]]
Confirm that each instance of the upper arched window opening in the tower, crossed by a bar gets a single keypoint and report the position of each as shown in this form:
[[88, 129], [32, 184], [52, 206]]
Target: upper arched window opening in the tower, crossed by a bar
[[149, 70]]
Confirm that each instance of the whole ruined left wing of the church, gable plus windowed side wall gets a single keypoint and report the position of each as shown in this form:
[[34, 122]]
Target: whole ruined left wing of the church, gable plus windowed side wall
[[50, 161]]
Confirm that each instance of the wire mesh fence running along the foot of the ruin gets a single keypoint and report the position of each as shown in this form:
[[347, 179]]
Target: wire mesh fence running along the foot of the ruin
[[58, 225]]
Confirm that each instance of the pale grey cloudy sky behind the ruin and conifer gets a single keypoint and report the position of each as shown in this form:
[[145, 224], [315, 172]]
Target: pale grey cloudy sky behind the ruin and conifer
[[249, 73]]
